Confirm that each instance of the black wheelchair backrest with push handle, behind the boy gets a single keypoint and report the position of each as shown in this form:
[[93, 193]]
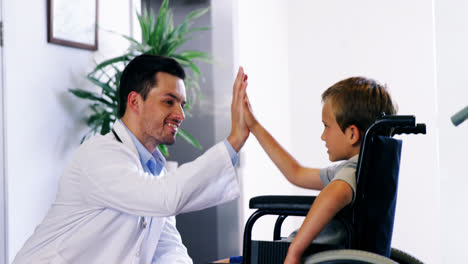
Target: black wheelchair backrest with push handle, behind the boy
[[373, 211]]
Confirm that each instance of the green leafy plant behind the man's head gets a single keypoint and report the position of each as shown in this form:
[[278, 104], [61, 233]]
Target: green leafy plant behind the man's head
[[159, 37]]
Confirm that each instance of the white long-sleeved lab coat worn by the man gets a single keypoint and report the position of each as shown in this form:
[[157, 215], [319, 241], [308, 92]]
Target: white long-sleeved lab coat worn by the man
[[106, 203]]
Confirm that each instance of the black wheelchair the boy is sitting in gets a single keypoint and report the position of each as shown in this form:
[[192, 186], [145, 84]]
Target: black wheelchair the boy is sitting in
[[359, 233]]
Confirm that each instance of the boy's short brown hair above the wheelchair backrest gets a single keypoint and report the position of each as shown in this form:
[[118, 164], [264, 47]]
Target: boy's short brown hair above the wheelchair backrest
[[359, 101]]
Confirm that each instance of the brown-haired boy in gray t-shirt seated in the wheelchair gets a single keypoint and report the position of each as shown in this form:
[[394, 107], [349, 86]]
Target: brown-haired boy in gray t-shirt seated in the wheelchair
[[349, 108]]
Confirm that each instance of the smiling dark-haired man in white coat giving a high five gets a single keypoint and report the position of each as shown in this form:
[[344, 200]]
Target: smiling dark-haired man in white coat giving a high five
[[116, 203]]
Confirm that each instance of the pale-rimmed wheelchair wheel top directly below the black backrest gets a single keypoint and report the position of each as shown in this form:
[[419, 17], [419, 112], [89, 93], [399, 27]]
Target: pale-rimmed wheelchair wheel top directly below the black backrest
[[347, 256]]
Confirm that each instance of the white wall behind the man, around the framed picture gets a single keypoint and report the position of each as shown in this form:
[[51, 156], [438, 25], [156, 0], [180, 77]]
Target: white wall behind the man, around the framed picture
[[43, 122]]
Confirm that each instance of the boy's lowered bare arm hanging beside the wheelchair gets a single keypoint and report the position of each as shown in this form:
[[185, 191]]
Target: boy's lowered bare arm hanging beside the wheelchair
[[328, 203]]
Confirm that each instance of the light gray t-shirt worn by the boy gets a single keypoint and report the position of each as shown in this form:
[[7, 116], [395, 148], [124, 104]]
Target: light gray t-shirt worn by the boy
[[345, 171]]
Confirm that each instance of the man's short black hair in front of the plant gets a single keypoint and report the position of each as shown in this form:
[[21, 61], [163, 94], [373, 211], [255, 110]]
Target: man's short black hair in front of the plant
[[140, 76]]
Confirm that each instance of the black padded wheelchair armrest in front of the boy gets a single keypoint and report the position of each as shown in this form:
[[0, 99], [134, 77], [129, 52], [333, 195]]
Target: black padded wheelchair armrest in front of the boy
[[282, 202]]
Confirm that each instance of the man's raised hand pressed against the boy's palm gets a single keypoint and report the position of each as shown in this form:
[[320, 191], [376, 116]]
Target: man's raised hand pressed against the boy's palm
[[239, 130]]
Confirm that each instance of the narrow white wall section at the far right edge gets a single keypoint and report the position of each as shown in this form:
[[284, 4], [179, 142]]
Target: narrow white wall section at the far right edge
[[452, 54]]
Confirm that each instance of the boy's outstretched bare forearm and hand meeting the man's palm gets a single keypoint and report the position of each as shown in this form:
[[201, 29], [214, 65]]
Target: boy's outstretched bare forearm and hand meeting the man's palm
[[289, 167]]
